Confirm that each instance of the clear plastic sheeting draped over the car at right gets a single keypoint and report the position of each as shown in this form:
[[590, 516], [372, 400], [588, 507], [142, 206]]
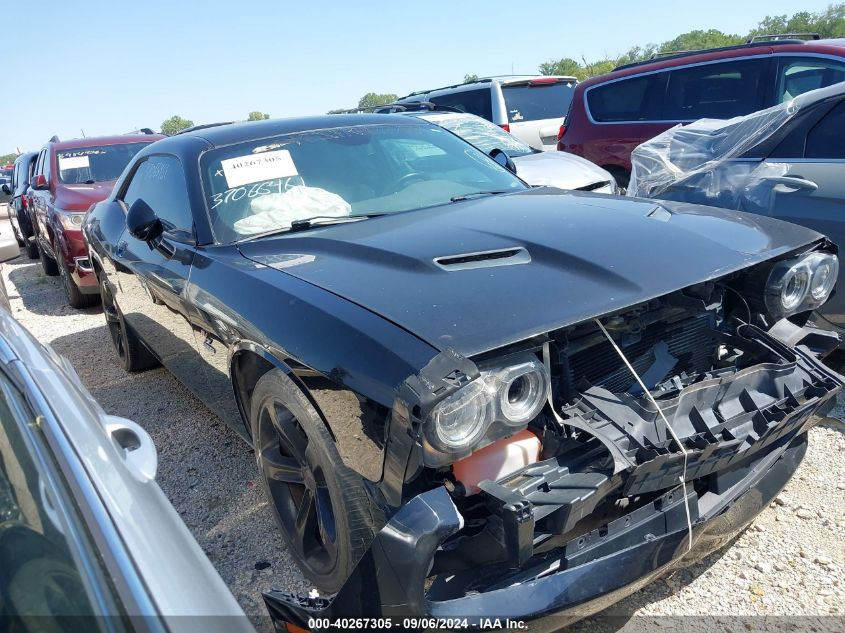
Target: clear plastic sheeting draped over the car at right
[[710, 161]]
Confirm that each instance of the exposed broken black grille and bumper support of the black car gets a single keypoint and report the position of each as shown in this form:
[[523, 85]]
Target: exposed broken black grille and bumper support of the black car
[[733, 393]]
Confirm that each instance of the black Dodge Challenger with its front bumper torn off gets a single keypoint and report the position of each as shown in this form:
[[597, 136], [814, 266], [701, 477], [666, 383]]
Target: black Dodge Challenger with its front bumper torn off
[[468, 398]]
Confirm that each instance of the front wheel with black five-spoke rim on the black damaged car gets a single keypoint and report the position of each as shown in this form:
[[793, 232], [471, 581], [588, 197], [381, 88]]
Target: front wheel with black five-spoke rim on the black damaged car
[[300, 466]]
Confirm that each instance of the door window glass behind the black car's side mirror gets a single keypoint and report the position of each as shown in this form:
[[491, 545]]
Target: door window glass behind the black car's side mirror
[[160, 182]]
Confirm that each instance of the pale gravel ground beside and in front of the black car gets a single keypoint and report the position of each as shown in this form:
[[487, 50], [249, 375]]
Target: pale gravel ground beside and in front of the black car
[[791, 561]]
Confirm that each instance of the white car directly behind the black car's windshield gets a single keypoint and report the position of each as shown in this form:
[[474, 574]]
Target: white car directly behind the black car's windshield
[[550, 169]]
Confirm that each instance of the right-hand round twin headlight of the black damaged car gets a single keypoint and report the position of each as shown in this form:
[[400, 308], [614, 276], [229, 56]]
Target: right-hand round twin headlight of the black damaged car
[[798, 285]]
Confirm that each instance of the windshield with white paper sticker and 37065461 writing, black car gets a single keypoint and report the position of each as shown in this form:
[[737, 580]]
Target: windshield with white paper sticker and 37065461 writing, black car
[[265, 185]]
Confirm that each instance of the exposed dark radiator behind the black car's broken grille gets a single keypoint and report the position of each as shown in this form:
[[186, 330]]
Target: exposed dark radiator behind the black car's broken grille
[[688, 341]]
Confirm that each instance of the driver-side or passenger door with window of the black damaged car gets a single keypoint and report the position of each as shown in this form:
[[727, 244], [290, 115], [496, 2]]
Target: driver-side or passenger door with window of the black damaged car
[[153, 277]]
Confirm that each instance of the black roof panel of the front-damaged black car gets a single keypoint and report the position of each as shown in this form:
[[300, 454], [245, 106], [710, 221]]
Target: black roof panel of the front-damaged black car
[[226, 134]]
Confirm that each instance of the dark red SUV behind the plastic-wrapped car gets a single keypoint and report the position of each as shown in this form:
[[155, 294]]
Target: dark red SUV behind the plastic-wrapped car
[[610, 115]]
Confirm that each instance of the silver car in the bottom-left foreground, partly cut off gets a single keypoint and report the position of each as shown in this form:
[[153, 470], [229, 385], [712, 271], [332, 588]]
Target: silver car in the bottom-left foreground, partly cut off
[[85, 531]]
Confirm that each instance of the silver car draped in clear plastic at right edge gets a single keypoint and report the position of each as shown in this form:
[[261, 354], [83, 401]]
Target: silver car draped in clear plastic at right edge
[[787, 162]]
